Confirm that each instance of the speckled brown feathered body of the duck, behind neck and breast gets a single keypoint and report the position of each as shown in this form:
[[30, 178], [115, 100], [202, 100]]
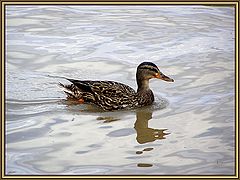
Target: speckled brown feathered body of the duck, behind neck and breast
[[109, 95]]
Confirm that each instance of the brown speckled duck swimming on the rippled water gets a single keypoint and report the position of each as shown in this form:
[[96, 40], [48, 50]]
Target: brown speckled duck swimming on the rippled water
[[112, 95]]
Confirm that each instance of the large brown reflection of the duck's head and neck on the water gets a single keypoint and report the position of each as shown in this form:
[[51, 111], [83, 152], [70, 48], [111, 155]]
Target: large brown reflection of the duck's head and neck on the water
[[144, 133]]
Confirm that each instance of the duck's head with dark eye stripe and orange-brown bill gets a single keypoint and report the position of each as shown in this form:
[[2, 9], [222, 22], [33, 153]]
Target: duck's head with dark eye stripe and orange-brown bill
[[148, 70]]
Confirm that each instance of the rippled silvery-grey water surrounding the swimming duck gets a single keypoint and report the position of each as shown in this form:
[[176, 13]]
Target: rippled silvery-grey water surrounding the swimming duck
[[189, 129]]
